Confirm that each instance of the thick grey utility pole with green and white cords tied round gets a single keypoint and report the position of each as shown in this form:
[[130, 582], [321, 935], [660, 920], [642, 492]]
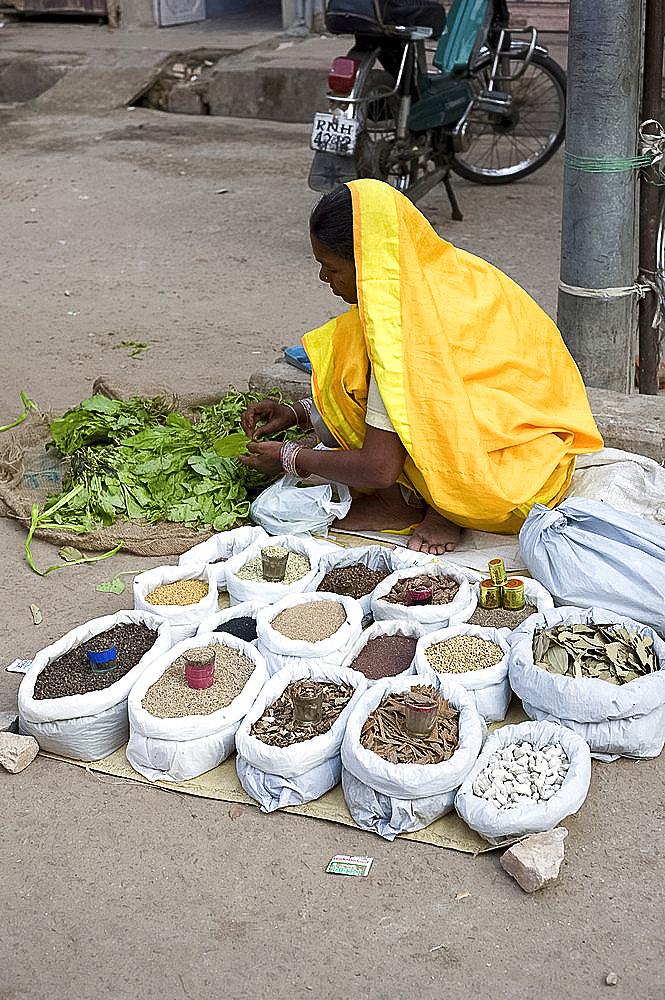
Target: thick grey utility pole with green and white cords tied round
[[596, 311]]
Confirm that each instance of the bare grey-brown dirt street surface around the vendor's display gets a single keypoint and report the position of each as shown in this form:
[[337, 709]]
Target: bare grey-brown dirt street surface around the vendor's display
[[189, 235]]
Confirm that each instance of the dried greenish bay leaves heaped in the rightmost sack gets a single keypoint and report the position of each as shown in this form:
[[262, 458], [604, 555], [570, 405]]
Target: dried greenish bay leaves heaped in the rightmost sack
[[608, 652]]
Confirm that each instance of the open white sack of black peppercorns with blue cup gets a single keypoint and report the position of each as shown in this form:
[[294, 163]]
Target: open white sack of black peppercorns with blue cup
[[73, 698]]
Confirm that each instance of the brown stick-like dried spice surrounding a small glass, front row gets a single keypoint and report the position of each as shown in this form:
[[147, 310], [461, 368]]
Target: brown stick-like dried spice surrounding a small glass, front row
[[384, 731]]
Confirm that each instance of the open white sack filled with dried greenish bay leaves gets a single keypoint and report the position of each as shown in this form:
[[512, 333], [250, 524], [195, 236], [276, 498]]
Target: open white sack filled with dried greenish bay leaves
[[596, 673]]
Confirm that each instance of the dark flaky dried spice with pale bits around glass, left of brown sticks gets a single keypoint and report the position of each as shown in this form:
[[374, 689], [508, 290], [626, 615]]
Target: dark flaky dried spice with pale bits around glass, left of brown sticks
[[277, 726]]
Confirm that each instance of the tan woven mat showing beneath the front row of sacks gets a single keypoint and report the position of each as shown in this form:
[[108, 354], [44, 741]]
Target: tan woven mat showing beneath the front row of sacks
[[222, 783]]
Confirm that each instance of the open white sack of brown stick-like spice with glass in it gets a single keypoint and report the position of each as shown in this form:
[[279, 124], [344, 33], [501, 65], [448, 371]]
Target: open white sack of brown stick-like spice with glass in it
[[407, 748]]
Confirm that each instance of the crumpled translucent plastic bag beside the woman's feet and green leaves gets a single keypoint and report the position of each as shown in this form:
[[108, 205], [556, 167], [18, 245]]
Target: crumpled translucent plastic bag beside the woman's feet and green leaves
[[290, 506]]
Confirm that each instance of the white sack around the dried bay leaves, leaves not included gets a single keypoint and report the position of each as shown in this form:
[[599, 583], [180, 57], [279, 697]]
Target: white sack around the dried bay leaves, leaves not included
[[626, 720]]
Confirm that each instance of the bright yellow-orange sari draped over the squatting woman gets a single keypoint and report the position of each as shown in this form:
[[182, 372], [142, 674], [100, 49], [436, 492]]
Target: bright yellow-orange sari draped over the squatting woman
[[475, 377]]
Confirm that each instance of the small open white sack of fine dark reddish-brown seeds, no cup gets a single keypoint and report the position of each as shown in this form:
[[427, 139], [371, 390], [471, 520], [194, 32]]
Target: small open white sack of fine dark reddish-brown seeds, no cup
[[385, 649]]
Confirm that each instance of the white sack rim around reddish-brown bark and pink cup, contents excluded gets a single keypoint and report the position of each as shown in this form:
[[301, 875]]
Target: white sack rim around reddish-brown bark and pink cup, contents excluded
[[433, 616]]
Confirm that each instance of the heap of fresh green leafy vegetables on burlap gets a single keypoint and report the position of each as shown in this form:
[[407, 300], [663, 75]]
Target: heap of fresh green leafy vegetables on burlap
[[140, 459]]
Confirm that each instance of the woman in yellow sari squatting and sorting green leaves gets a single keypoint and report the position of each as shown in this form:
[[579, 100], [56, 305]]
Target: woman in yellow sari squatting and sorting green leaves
[[448, 394]]
